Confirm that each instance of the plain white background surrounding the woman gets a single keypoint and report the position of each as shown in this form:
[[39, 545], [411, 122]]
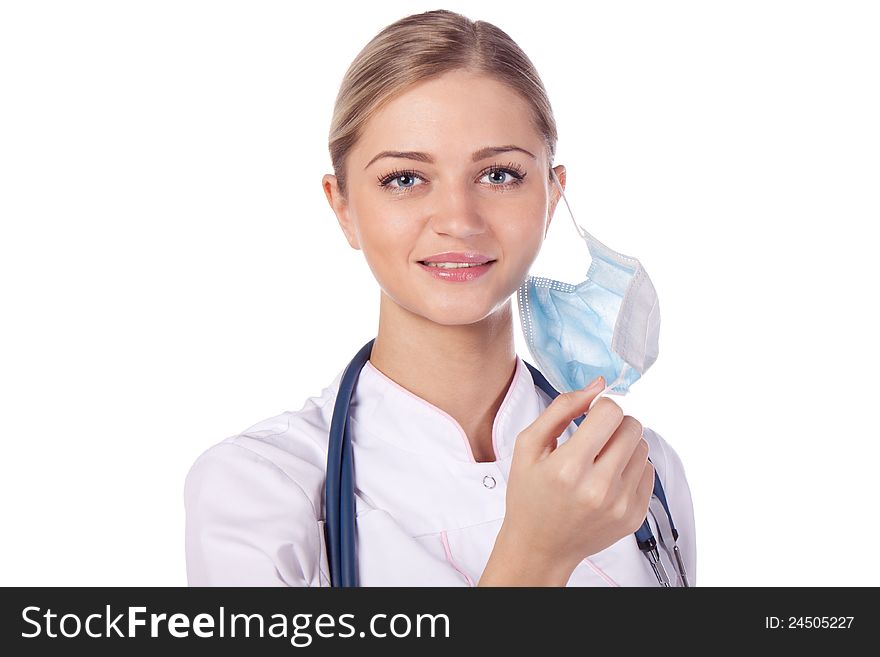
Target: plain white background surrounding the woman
[[172, 273]]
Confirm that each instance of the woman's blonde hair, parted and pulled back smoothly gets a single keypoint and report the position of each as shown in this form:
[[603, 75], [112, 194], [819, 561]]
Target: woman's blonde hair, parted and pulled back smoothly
[[423, 46]]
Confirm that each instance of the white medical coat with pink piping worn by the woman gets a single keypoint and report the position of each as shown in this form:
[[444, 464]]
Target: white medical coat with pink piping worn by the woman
[[427, 512]]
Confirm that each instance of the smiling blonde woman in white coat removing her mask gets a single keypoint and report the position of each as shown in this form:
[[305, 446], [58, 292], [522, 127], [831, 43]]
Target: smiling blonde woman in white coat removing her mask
[[442, 143]]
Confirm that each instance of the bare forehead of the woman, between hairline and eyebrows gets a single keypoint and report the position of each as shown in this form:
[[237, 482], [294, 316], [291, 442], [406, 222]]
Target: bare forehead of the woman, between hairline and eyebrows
[[450, 116]]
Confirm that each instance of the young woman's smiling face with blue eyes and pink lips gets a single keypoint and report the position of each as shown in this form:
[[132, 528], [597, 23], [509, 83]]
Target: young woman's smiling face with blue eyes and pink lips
[[475, 182]]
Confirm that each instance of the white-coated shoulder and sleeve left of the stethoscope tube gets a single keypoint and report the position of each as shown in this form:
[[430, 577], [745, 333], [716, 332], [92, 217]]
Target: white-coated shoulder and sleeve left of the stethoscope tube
[[254, 503]]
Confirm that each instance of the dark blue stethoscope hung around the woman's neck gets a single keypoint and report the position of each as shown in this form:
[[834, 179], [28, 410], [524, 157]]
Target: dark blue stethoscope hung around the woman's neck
[[339, 526]]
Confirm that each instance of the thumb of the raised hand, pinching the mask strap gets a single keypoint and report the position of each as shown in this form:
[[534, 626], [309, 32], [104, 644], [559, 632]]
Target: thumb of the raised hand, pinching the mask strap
[[539, 438]]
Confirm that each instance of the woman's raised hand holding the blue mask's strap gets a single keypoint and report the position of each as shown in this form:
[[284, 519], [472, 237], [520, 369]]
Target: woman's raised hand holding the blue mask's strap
[[565, 503]]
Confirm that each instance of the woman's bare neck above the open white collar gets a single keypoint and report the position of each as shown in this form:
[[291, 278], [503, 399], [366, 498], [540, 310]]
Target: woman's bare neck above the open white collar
[[464, 370]]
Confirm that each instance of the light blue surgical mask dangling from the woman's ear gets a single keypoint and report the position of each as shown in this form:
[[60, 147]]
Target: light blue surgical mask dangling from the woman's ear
[[607, 325]]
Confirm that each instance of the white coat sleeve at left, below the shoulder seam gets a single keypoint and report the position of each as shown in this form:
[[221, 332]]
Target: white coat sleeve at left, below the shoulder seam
[[250, 521]]
